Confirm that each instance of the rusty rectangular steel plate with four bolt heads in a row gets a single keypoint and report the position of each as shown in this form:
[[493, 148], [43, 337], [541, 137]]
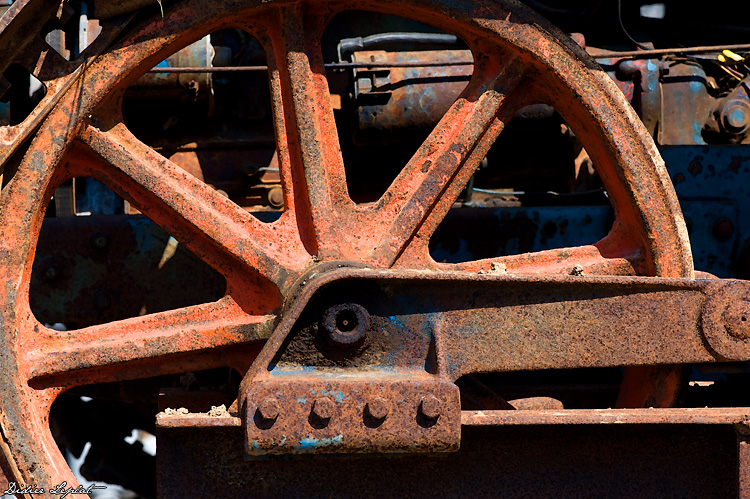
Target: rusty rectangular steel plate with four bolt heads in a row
[[331, 416]]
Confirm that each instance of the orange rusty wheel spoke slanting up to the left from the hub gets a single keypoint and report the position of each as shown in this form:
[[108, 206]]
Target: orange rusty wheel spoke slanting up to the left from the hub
[[209, 223]]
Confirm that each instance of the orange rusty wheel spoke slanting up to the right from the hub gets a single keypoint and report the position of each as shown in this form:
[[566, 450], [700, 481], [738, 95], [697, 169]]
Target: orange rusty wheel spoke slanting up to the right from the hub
[[438, 170]]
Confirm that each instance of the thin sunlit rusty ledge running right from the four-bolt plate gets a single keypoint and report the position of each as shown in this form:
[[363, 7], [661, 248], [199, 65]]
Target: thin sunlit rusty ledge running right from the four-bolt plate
[[721, 415]]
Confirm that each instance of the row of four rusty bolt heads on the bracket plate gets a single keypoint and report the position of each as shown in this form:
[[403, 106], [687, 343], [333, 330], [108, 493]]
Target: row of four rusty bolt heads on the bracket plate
[[376, 408]]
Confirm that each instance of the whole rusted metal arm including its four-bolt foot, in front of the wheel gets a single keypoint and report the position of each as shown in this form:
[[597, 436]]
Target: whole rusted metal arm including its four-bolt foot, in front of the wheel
[[357, 347]]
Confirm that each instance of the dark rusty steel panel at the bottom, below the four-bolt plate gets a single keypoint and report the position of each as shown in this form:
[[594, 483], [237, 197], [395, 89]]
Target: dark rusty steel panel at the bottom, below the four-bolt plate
[[675, 460]]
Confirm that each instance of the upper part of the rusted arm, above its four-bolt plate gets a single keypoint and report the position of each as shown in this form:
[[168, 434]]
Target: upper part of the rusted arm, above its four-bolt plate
[[492, 323]]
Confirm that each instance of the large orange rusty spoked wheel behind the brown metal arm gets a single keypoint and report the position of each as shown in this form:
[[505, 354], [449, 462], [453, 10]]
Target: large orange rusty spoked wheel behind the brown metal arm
[[519, 59]]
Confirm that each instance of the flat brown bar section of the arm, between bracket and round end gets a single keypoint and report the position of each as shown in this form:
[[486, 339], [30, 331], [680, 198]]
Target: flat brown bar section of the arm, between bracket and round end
[[524, 326]]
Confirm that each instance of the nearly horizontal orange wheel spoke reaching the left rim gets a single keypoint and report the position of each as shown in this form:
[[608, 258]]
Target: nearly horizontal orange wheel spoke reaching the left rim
[[112, 349]]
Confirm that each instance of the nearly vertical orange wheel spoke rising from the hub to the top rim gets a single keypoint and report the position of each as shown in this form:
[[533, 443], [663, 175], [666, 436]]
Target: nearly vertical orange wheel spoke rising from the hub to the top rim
[[310, 156]]
